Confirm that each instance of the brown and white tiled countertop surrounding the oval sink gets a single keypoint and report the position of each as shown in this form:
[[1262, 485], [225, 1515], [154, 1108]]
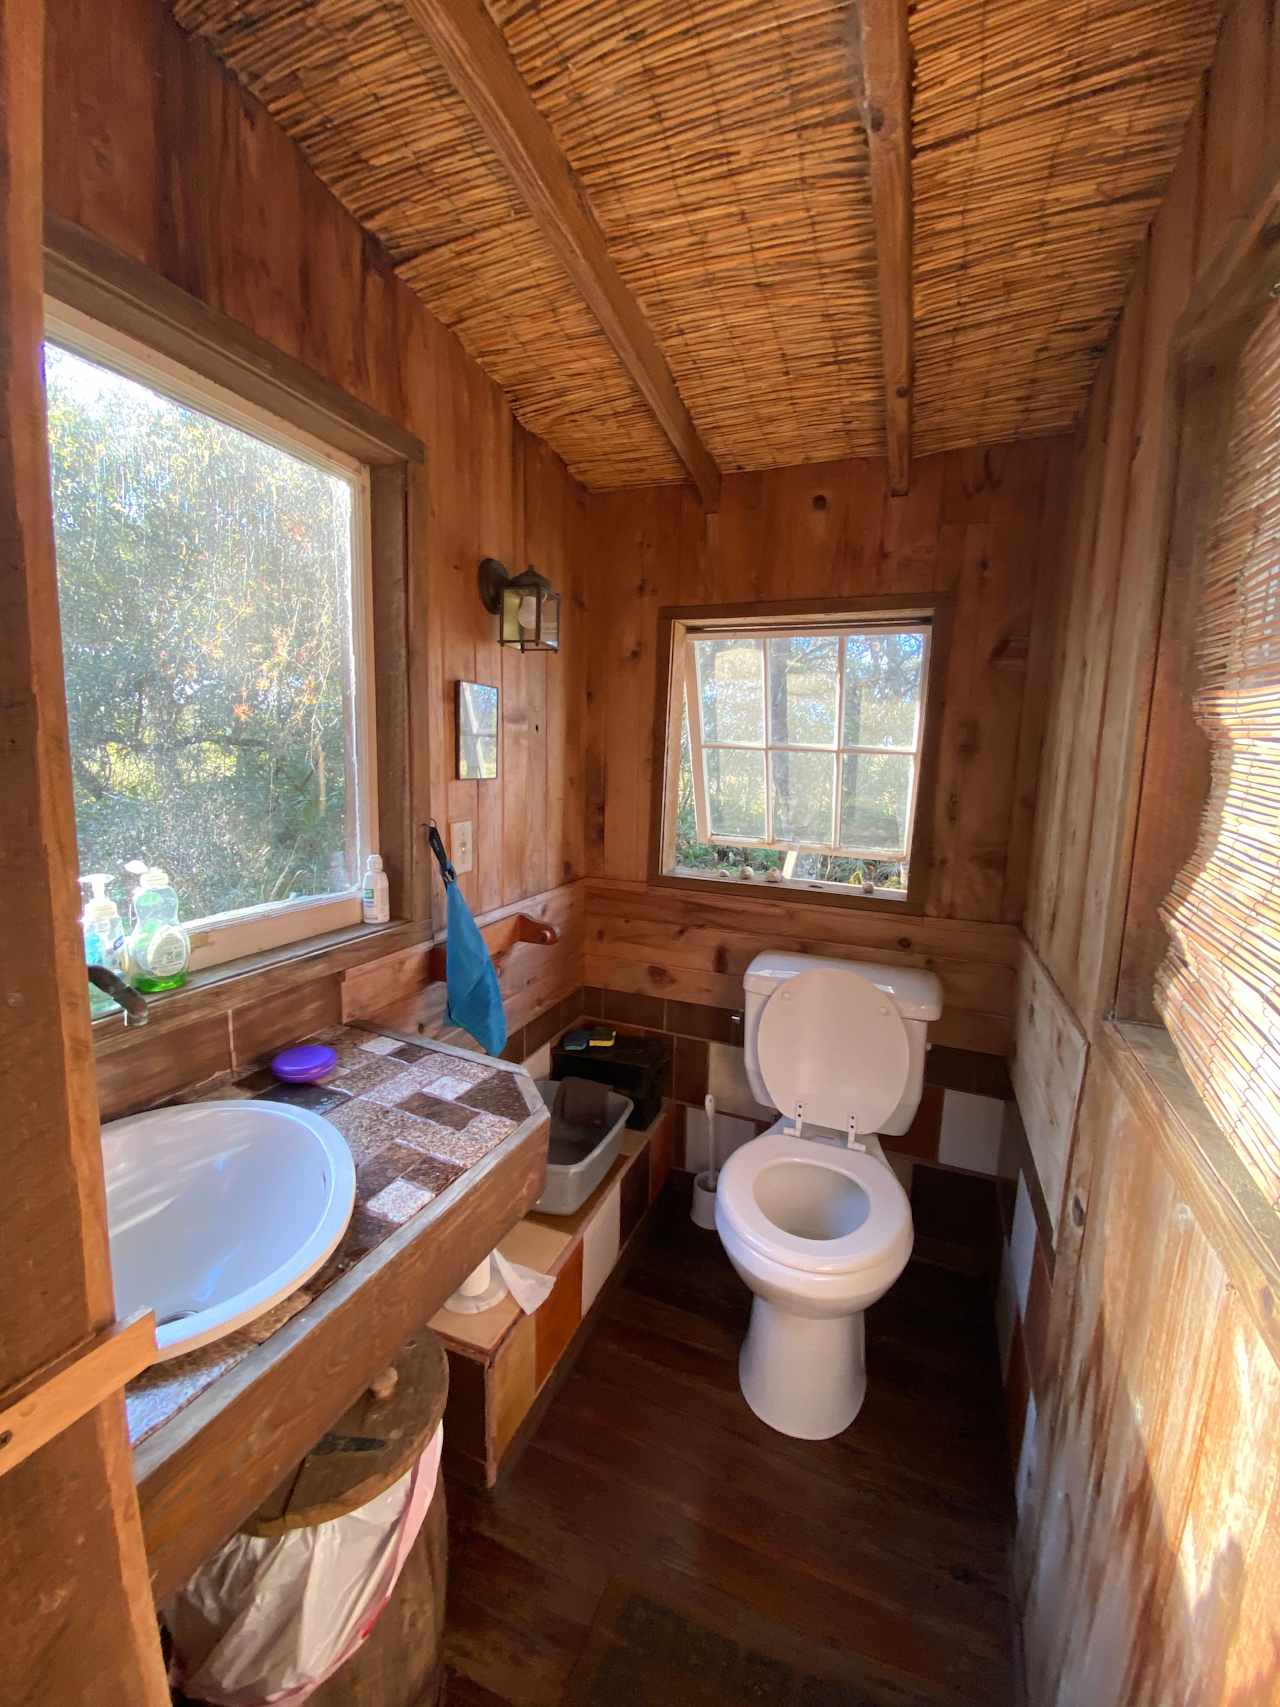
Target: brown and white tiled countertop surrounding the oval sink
[[417, 1116]]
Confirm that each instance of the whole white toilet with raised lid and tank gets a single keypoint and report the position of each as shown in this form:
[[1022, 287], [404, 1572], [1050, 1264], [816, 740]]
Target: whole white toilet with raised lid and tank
[[815, 1221]]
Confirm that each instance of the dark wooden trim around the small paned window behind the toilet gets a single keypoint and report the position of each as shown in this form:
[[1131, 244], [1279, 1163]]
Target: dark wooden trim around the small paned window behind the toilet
[[928, 607]]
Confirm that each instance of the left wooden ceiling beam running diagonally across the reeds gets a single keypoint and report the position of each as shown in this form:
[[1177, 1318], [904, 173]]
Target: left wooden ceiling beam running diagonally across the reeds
[[480, 67]]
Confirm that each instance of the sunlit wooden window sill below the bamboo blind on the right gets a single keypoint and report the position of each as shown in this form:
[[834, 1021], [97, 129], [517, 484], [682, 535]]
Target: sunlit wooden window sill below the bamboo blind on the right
[[1233, 1213]]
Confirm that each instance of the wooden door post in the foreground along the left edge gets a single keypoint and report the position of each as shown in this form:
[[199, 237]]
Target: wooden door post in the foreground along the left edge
[[78, 1619]]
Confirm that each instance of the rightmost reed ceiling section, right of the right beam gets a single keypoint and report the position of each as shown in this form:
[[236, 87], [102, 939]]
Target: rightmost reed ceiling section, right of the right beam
[[1044, 137]]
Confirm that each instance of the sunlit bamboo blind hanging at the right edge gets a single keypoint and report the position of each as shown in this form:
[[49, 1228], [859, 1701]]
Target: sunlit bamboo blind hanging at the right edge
[[1219, 987]]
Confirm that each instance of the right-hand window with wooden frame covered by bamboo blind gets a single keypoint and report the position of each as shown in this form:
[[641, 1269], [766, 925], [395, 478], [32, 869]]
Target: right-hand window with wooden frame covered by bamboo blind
[[1202, 928]]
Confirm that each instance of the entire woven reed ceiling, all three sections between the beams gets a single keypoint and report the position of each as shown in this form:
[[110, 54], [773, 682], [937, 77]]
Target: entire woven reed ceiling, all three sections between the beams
[[723, 151]]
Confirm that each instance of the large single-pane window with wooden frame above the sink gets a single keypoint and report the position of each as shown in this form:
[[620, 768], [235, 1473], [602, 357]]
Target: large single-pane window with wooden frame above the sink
[[219, 520]]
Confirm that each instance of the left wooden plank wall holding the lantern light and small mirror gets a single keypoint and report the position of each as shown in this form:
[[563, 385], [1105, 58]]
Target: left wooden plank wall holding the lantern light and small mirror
[[158, 151]]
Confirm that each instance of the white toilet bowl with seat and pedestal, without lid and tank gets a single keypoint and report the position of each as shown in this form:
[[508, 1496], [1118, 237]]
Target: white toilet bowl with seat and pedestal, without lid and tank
[[818, 1233]]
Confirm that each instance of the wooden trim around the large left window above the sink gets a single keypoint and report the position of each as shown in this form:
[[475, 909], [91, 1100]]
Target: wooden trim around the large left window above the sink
[[90, 276]]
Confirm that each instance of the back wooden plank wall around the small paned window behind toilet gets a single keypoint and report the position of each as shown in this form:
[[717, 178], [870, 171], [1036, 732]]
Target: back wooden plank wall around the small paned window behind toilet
[[982, 525]]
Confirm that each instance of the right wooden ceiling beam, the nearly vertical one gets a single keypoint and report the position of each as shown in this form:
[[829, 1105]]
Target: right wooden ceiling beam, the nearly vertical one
[[885, 62]]
